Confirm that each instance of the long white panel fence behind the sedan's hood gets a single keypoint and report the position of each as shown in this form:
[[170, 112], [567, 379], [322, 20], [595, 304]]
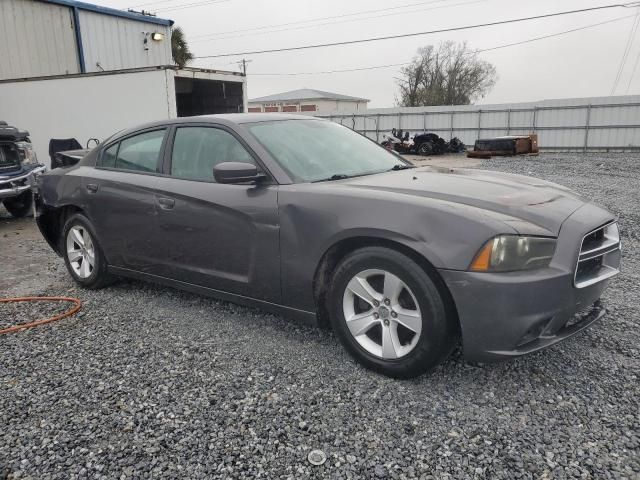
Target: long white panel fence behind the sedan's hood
[[579, 124]]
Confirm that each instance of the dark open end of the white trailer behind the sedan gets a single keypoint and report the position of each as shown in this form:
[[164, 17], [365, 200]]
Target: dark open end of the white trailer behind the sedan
[[196, 96]]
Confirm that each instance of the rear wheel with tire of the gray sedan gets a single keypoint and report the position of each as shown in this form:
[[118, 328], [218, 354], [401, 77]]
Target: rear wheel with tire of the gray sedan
[[79, 251]]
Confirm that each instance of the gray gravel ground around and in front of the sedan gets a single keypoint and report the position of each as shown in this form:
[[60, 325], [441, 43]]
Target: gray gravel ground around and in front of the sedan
[[152, 382]]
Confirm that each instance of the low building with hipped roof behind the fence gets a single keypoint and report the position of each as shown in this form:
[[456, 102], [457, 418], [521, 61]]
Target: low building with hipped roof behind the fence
[[308, 101]]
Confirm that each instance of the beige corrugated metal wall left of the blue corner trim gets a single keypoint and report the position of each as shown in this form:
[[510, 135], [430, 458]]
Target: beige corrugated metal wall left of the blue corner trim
[[36, 39]]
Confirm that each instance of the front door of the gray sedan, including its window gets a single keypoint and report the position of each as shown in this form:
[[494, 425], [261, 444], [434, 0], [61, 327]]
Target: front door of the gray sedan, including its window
[[221, 236]]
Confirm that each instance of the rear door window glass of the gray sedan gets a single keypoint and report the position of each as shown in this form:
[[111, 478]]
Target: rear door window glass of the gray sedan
[[140, 152]]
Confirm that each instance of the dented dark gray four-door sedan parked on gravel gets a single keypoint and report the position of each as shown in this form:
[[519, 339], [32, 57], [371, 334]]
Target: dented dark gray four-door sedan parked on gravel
[[307, 218]]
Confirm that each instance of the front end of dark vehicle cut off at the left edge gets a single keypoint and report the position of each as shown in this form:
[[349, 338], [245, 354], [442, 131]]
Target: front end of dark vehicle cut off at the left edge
[[18, 168]]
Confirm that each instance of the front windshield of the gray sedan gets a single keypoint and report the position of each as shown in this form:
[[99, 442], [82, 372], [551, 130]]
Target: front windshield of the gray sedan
[[317, 150]]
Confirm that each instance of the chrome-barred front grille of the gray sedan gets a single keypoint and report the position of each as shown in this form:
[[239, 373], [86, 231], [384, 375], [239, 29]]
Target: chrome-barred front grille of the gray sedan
[[599, 256]]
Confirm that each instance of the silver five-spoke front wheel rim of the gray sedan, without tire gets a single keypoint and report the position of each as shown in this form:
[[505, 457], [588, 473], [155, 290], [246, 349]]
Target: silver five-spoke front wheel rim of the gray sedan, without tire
[[382, 314]]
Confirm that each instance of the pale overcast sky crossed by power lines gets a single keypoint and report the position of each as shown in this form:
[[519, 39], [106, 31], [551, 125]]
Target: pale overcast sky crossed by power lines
[[578, 64]]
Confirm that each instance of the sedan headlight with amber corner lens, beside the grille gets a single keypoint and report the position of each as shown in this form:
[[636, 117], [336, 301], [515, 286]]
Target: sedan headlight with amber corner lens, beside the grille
[[507, 253]]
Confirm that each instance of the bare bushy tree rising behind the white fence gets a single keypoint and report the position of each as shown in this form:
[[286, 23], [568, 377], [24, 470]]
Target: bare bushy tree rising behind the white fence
[[451, 74]]
